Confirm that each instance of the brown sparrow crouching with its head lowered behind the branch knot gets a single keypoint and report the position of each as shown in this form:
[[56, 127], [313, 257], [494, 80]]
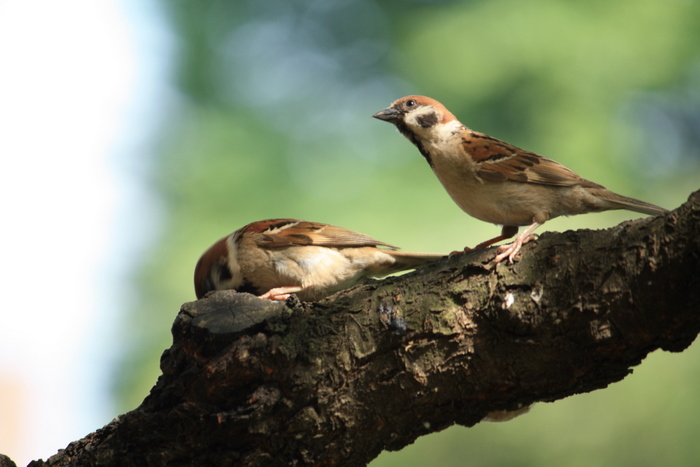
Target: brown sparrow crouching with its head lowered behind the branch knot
[[278, 257]]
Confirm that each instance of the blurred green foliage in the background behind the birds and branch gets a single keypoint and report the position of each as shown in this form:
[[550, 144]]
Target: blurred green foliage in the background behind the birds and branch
[[273, 120]]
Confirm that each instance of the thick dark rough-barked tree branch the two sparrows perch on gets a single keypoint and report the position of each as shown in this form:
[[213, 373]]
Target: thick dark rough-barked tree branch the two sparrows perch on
[[255, 383]]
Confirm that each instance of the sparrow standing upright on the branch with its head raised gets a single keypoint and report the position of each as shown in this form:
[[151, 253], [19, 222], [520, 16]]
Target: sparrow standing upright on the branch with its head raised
[[495, 181]]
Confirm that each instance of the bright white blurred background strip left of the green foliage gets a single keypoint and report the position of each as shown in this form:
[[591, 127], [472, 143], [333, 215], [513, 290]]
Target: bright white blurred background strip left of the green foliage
[[75, 92]]
